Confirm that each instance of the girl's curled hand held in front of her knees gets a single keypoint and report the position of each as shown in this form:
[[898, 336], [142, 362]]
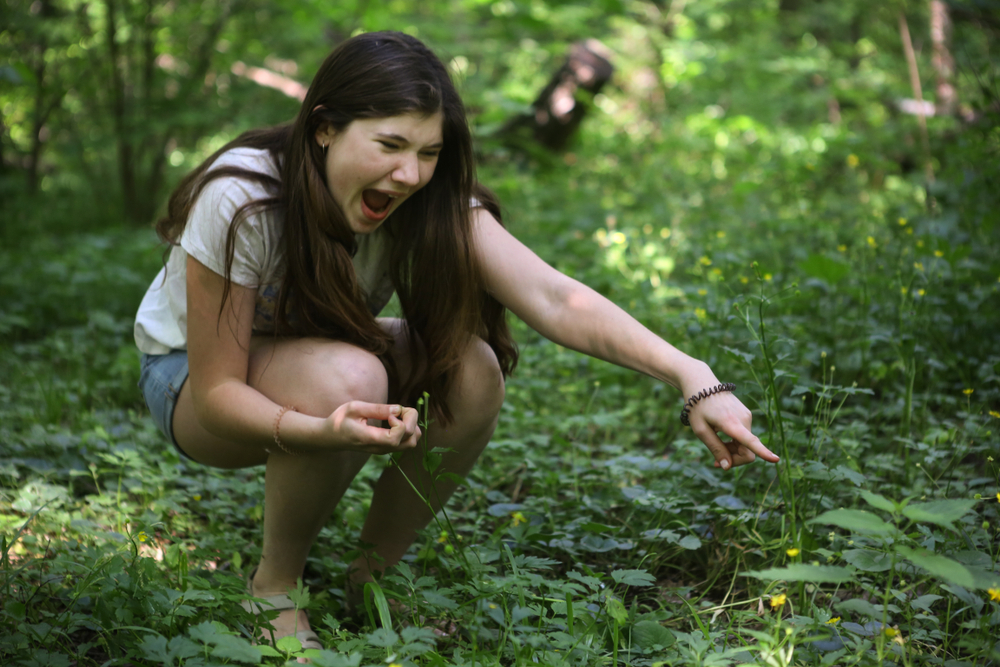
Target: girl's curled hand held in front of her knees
[[349, 428]]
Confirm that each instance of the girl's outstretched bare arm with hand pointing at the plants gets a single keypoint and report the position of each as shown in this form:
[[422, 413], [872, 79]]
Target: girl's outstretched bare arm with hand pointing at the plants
[[571, 314]]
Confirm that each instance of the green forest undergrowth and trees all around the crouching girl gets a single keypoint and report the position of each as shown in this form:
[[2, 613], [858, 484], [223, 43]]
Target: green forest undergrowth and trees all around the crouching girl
[[746, 187]]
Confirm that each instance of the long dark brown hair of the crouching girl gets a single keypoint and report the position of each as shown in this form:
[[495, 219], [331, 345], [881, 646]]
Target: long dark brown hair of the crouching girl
[[433, 264]]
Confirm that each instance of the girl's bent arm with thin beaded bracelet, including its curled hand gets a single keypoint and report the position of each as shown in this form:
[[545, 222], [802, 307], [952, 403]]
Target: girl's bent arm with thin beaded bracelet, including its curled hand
[[229, 408]]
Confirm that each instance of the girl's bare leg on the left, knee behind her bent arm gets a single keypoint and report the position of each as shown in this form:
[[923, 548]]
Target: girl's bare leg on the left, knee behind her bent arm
[[315, 376]]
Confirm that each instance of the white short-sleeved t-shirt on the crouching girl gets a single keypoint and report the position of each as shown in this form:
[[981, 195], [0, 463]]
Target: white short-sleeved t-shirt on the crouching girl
[[258, 261]]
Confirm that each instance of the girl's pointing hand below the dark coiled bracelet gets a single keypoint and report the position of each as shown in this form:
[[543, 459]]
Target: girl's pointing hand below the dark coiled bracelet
[[724, 413]]
